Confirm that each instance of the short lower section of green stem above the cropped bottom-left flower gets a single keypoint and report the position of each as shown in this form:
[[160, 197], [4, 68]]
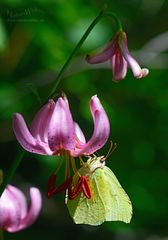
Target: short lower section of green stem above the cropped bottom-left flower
[[12, 170]]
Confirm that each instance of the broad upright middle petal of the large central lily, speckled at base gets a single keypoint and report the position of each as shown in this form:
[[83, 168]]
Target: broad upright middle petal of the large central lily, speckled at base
[[61, 132]]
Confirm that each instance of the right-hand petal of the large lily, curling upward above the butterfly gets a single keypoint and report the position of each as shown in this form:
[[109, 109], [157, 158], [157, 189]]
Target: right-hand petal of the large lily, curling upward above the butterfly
[[101, 129]]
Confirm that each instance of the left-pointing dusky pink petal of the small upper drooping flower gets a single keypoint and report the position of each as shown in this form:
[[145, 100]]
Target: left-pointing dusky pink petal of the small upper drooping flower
[[104, 55]]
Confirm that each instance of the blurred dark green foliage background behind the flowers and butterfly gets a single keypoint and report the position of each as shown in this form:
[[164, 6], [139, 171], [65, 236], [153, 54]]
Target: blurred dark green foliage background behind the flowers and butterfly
[[36, 37]]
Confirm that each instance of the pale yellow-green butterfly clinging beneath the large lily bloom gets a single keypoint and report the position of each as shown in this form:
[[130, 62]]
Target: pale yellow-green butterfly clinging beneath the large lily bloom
[[108, 200]]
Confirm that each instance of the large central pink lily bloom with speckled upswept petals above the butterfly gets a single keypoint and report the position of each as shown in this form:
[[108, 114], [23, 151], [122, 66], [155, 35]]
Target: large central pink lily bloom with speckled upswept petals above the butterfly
[[53, 130]]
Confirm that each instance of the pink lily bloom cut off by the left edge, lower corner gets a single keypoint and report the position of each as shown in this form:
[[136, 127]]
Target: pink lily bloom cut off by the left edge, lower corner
[[14, 213]]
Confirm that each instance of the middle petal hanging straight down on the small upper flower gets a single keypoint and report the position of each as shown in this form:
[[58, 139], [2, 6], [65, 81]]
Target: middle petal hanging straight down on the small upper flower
[[119, 66]]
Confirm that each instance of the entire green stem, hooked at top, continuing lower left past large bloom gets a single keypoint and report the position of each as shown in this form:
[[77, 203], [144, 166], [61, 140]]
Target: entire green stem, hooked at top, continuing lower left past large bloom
[[52, 94]]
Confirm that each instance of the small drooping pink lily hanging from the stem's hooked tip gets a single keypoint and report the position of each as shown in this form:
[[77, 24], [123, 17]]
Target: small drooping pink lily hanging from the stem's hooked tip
[[117, 52]]
